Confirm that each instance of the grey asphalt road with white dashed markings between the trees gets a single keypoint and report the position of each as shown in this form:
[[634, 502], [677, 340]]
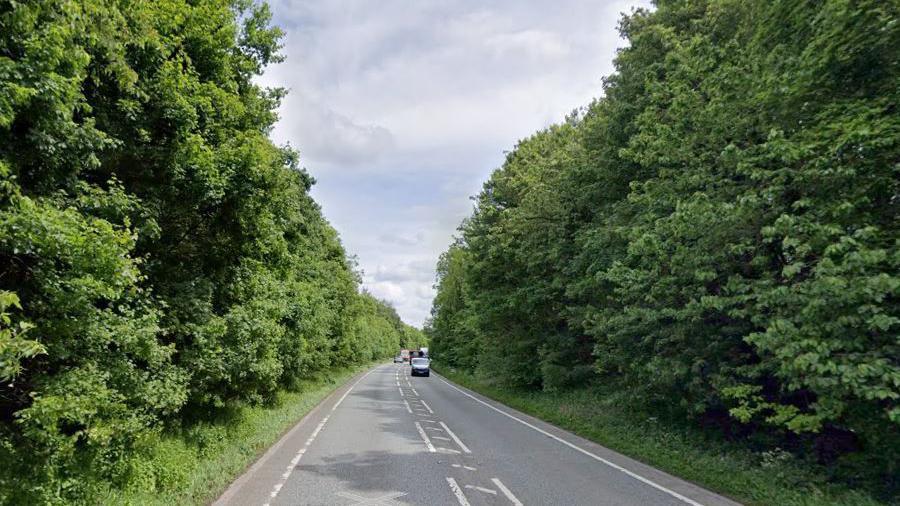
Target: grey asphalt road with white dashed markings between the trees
[[385, 438]]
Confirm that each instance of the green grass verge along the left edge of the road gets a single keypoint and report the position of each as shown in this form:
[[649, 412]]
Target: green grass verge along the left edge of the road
[[196, 464]]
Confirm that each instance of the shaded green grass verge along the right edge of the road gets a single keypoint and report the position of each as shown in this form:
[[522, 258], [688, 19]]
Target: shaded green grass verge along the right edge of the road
[[729, 468]]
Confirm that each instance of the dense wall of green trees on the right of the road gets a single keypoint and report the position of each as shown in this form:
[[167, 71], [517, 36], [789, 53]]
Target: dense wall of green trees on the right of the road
[[718, 235]]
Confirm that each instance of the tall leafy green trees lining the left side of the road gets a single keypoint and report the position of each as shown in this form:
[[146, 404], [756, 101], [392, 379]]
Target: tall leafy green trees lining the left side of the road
[[160, 257]]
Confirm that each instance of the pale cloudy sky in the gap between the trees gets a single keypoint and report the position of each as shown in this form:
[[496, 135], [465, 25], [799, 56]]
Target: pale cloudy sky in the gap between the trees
[[401, 109]]
